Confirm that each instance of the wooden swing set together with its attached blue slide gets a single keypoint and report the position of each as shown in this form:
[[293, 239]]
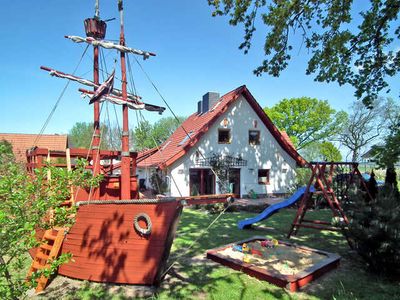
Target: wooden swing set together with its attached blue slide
[[330, 181]]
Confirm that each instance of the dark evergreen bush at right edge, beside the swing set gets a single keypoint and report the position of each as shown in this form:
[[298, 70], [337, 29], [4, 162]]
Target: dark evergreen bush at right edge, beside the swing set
[[374, 229]]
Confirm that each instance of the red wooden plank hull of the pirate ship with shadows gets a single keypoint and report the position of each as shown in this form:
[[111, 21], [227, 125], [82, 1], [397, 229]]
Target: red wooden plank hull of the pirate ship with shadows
[[106, 247]]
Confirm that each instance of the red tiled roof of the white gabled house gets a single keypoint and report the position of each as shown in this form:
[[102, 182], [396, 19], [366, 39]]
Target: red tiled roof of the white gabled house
[[196, 126]]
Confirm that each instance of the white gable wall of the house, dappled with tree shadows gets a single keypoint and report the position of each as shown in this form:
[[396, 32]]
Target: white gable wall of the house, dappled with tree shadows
[[268, 155]]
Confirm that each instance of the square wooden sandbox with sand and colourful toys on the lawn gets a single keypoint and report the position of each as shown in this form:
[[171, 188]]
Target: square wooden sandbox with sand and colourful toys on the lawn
[[283, 264]]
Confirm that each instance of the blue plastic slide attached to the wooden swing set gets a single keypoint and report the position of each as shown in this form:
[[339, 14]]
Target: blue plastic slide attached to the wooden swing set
[[270, 210]]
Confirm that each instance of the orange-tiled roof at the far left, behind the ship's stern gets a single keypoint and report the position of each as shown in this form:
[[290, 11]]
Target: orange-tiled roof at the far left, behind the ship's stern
[[21, 142]]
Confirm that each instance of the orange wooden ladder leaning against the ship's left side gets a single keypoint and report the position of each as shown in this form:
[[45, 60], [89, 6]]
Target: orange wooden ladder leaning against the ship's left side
[[47, 251]]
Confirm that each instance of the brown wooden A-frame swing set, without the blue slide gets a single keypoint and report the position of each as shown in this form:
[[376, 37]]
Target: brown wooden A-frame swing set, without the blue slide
[[331, 180]]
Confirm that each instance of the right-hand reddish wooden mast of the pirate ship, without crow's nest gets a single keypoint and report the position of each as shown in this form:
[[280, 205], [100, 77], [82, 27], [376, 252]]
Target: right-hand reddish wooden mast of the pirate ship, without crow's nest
[[125, 158]]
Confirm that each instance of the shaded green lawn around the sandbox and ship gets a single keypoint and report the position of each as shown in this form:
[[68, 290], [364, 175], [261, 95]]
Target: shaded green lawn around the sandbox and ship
[[197, 278]]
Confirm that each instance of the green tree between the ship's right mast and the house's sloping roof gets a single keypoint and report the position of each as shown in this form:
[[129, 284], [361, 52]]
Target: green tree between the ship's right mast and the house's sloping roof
[[146, 135]]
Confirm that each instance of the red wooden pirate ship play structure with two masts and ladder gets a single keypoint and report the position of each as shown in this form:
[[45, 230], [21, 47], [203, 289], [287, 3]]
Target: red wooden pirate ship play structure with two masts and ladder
[[116, 237]]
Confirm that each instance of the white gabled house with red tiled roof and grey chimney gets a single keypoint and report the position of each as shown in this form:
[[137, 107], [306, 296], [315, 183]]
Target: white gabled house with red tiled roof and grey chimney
[[232, 131]]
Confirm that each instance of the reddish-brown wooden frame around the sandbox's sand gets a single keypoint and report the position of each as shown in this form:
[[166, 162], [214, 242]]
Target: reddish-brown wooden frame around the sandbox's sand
[[291, 282]]
